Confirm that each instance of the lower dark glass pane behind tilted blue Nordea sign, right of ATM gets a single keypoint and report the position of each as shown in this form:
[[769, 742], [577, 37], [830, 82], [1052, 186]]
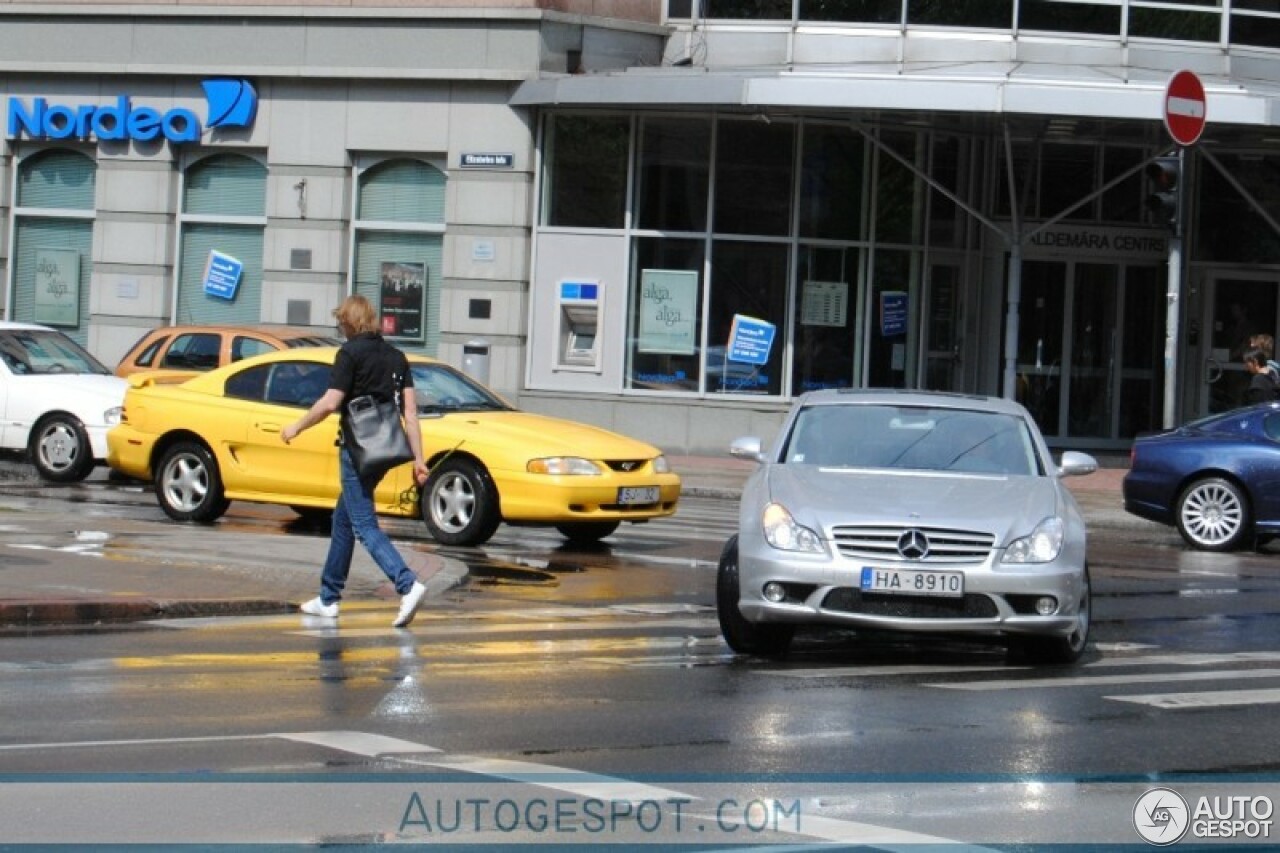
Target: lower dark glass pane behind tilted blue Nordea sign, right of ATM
[[747, 280]]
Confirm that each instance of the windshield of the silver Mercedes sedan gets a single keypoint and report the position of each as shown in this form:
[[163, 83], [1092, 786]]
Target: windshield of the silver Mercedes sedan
[[912, 439]]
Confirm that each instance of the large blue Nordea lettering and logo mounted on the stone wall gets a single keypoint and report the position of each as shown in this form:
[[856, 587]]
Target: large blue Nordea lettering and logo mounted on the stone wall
[[232, 103]]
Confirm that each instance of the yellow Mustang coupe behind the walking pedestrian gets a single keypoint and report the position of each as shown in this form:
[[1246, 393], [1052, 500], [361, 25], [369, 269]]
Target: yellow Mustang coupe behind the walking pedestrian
[[216, 439]]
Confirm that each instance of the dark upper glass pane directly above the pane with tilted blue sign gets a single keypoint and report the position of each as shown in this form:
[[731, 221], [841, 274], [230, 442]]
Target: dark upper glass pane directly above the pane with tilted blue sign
[[753, 179]]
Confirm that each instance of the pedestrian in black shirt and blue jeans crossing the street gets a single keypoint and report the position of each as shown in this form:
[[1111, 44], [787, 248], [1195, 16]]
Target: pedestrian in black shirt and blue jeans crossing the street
[[365, 366]]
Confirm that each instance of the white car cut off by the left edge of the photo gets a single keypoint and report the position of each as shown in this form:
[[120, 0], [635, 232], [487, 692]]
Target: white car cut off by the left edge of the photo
[[57, 402]]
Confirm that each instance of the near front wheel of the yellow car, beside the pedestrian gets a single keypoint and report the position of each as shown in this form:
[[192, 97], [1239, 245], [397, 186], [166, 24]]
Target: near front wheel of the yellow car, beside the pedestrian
[[460, 504]]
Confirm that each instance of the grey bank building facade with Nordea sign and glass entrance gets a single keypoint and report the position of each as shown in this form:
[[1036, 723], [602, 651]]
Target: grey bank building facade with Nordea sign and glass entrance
[[670, 221]]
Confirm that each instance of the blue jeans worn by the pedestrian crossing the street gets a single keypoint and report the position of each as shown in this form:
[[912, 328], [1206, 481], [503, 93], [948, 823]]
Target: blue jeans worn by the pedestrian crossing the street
[[355, 519]]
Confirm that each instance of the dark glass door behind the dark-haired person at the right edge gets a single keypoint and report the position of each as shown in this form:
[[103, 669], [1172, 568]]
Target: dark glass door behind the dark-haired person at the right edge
[[1238, 309]]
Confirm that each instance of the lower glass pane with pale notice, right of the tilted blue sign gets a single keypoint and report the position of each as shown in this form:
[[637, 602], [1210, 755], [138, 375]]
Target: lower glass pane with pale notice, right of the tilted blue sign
[[826, 320]]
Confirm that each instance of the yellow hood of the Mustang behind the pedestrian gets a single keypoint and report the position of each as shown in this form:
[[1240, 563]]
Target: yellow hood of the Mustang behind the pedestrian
[[533, 436]]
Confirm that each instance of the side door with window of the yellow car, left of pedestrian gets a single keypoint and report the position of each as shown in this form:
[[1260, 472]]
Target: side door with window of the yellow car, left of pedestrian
[[278, 394]]
